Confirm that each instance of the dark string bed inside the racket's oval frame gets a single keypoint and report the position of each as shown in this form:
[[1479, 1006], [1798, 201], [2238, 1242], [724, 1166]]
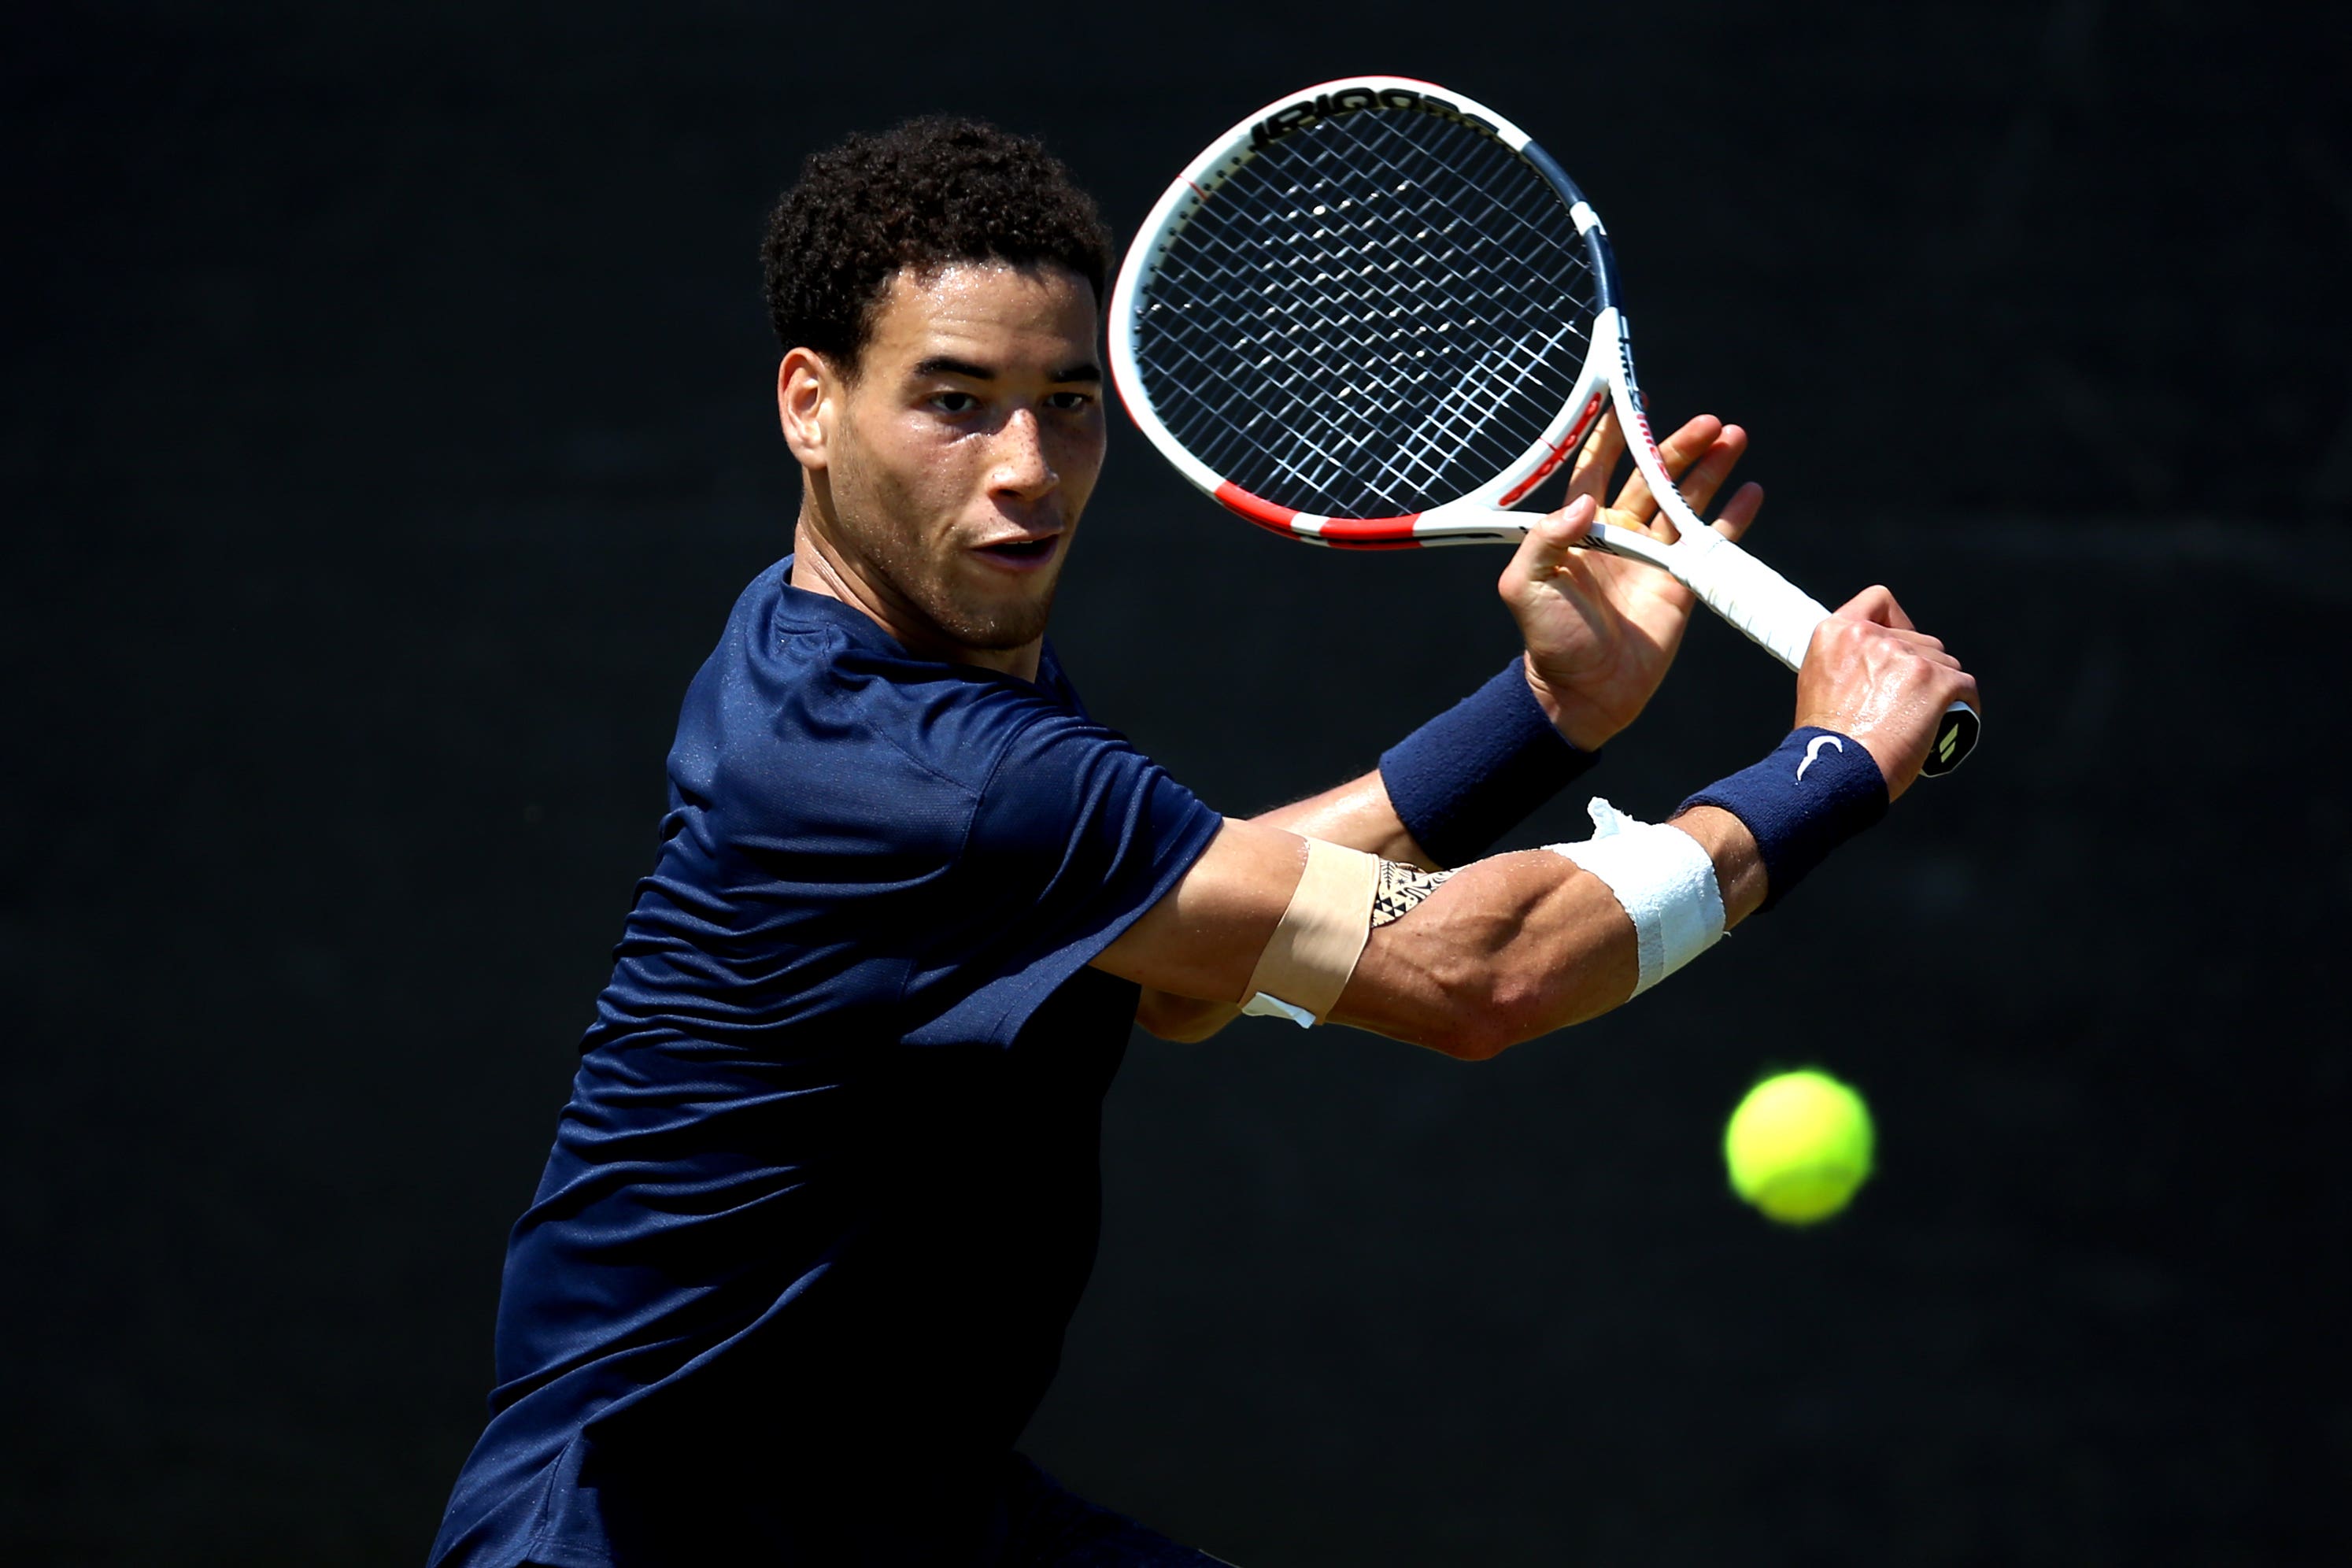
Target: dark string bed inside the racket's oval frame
[[1368, 319]]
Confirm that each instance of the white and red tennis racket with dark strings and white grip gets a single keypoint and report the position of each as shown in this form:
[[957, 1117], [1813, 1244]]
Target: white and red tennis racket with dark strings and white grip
[[1377, 316]]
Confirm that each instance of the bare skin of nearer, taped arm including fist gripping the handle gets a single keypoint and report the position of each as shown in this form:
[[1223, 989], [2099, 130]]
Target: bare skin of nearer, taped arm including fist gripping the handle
[[1523, 944]]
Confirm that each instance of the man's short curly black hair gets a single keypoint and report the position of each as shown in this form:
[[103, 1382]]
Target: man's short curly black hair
[[923, 196]]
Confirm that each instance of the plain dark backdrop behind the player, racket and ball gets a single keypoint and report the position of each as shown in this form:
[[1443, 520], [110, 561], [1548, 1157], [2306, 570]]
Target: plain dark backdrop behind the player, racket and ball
[[389, 431]]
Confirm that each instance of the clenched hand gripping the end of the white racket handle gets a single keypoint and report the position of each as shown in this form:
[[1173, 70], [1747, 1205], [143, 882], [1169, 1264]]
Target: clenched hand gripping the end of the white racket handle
[[1873, 676]]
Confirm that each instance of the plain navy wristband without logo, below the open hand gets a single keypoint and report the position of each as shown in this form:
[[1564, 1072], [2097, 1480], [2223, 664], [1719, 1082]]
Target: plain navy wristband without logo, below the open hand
[[1474, 772]]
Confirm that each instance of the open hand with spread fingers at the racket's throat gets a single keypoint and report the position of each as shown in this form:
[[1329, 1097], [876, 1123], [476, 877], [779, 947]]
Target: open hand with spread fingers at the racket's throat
[[1603, 631]]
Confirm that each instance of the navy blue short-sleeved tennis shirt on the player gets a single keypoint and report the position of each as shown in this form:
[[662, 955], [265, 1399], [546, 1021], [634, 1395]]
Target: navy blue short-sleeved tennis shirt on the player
[[827, 1188]]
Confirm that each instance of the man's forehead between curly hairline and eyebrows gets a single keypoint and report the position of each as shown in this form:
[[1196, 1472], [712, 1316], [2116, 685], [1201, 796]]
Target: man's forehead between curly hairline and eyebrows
[[987, 304]]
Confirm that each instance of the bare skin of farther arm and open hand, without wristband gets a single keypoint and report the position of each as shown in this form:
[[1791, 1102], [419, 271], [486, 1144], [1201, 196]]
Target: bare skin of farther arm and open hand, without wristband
[[1598, 636]]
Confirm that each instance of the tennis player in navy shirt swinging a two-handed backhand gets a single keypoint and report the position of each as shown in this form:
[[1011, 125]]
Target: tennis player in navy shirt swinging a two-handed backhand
[[827, 1188]]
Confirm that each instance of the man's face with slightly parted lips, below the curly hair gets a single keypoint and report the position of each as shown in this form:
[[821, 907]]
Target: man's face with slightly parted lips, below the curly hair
[[958, 460]]
